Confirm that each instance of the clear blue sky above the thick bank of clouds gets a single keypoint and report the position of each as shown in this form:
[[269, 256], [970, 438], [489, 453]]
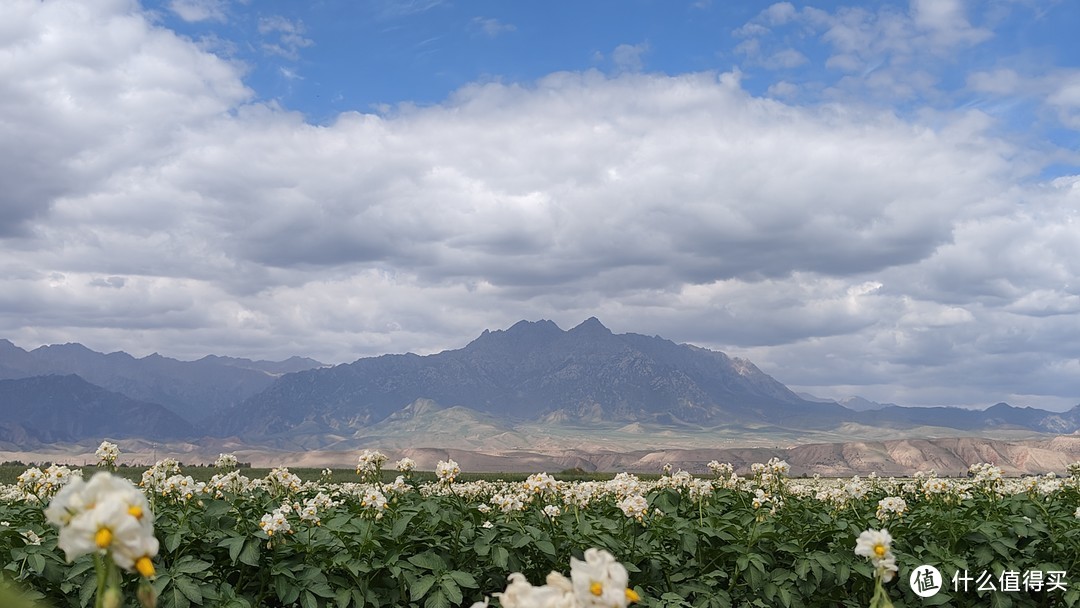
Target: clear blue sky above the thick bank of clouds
[[323, 59]]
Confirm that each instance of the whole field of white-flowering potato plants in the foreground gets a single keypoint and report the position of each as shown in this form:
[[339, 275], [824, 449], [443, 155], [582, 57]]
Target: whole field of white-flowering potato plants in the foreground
[[725, 539]]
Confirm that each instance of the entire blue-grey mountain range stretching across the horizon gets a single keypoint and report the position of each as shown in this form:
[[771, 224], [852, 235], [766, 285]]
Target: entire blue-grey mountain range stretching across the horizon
[[533, 375]]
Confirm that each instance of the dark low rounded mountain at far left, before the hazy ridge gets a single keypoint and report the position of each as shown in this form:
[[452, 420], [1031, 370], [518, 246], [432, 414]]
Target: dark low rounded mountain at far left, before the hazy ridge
[[67, 409]]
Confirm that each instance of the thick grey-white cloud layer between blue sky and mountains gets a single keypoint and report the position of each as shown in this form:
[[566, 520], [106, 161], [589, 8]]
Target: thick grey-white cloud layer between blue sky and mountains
[[153, 205]]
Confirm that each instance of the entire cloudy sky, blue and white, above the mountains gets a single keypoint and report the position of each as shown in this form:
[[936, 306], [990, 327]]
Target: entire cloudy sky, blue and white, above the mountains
[[873, 199]]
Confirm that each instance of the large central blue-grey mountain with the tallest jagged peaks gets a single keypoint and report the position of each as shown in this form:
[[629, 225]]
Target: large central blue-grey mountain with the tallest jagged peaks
[[534, 372]]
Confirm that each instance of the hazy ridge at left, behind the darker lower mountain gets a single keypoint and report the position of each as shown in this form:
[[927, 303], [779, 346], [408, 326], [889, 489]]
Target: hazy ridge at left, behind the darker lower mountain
[[193, 389]]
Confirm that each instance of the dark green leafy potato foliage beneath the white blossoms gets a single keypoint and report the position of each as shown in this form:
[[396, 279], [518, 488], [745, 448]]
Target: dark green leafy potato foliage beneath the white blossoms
[[439, 549]]
